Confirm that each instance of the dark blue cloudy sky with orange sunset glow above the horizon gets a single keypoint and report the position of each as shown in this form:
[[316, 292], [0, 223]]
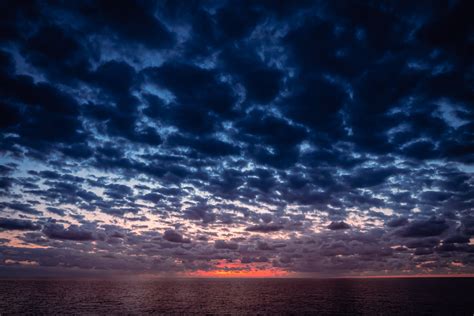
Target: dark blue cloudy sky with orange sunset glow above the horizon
[[236, 138]]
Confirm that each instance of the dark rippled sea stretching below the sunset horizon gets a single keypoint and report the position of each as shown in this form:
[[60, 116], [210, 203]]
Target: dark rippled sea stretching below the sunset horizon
[[240, 296]]
